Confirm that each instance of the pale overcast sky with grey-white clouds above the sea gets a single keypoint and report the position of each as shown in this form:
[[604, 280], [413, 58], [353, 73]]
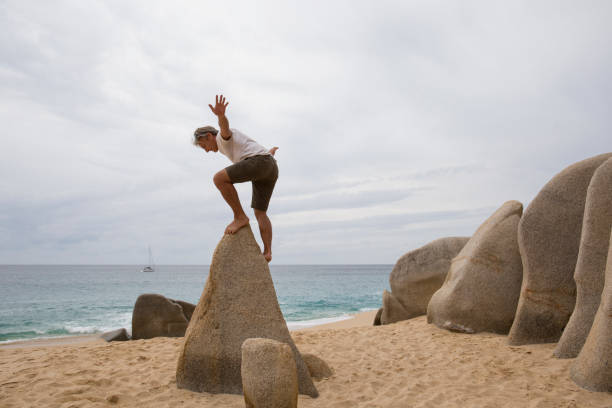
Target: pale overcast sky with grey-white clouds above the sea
[[398, 122]]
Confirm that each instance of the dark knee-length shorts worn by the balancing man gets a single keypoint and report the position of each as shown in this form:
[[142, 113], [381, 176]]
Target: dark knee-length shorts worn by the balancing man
[[262, 172]]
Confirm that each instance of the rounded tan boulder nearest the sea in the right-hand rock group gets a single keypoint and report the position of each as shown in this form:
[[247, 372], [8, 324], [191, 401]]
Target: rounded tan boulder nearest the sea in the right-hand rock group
[[419, 273]]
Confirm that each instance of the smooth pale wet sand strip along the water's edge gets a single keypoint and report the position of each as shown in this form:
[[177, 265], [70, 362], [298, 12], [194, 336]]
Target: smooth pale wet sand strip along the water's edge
[[353, 320]]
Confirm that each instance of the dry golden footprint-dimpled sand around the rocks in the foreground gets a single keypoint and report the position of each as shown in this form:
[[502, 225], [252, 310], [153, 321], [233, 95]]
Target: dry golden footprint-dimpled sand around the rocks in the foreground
[[406, 364]]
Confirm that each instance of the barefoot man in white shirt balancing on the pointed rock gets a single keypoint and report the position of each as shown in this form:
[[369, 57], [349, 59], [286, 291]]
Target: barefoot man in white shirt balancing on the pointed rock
[[252, 162]]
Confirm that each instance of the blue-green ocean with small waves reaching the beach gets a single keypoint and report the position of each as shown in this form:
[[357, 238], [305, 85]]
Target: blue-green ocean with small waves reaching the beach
[[44, 301]]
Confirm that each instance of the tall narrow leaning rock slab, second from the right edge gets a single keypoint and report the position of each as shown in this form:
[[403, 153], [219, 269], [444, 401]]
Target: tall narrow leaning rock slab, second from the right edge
[[591, 265]]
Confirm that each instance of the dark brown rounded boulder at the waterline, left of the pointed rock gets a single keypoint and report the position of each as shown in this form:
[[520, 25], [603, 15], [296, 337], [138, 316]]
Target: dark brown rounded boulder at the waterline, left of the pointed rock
[[157, 316]]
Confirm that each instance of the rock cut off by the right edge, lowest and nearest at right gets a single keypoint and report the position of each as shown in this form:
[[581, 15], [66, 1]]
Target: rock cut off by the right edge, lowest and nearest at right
[[592, 369]]
